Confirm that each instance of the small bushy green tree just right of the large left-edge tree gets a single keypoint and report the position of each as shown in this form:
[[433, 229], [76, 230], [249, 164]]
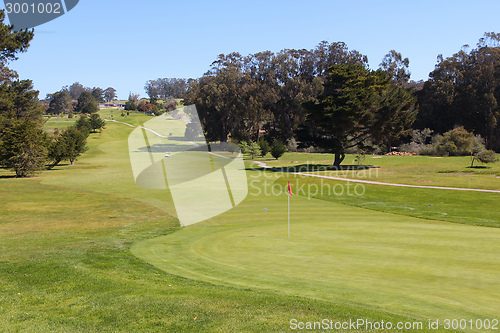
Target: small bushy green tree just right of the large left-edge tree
[[68, 145]]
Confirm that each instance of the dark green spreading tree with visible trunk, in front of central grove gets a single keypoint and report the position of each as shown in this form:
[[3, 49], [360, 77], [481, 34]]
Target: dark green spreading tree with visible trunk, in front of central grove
[[357, 105]]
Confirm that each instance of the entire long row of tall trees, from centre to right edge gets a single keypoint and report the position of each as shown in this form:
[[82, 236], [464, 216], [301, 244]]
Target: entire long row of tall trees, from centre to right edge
[[329, 98]]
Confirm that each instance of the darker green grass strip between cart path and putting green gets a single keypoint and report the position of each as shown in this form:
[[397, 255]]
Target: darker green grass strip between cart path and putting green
[[474, 208]]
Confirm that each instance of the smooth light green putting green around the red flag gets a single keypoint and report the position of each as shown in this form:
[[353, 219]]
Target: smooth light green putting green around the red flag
[[413, 267]]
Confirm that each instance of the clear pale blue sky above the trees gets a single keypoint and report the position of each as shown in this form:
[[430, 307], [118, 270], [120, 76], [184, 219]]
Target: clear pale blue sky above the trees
[[124, 43]]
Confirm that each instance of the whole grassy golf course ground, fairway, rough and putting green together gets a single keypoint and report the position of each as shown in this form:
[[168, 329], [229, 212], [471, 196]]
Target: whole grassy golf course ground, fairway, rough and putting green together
[[84, 249]]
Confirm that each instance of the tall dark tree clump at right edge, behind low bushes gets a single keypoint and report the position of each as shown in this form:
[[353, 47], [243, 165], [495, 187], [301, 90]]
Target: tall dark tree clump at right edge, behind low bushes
[[464, 90]]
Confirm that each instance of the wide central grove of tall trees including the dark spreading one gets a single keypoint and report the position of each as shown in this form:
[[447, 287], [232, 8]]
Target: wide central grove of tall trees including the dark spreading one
[[275, 95]]
